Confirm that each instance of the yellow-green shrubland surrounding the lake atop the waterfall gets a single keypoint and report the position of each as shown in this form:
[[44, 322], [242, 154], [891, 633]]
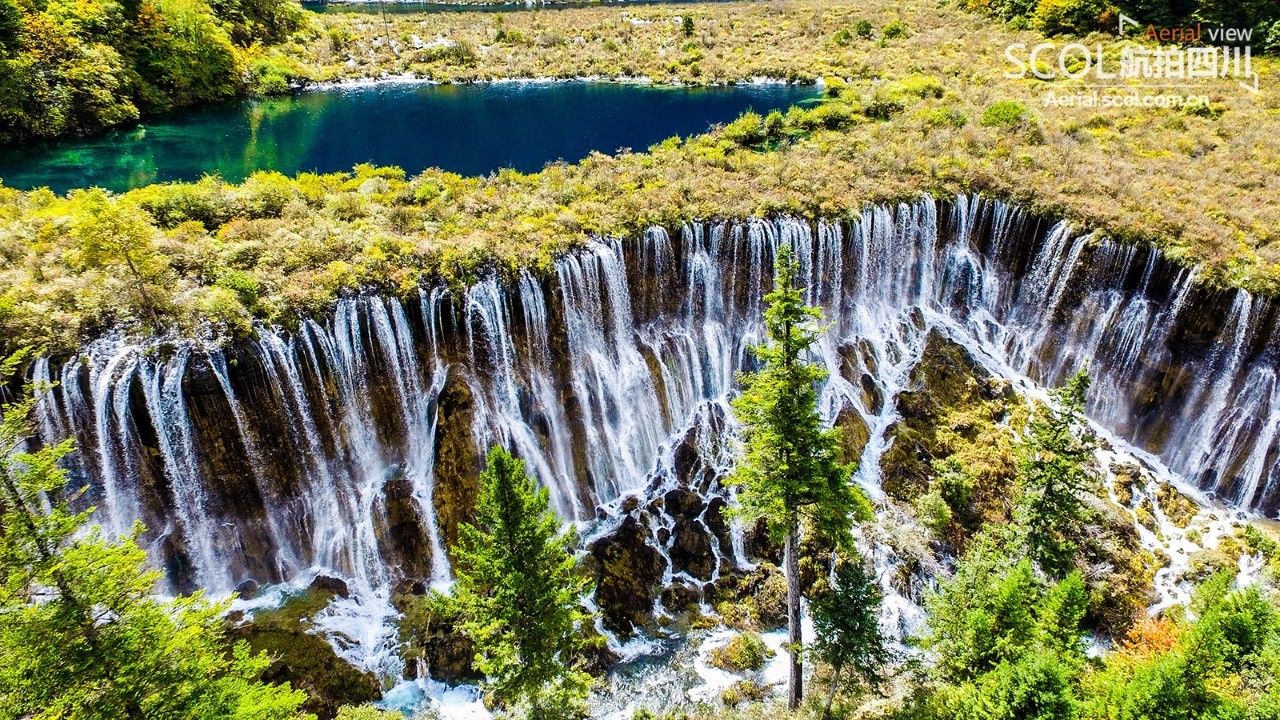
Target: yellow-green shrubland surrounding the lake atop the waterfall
[[916, 102]]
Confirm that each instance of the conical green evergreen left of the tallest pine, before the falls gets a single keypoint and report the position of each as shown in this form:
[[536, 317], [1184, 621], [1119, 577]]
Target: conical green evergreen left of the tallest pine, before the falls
[[519, 590]]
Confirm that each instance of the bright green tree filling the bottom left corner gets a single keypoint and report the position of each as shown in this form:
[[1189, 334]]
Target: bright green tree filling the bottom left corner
[[83, 636]]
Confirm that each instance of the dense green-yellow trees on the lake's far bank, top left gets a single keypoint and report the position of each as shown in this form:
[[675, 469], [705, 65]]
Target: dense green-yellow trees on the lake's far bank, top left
[[75, 67]]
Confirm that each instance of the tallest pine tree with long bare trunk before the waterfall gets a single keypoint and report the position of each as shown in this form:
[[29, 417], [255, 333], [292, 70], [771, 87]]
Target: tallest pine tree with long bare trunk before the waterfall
[[790, 468]]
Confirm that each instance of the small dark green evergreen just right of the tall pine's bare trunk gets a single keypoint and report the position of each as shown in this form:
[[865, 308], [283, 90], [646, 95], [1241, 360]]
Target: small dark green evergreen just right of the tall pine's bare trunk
[[847, 628]]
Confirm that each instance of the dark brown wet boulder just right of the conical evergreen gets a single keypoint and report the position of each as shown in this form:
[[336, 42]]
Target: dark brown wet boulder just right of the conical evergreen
[[628, 573]]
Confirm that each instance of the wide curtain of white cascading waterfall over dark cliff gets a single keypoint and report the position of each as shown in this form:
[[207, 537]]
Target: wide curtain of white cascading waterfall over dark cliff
[[350, 446]]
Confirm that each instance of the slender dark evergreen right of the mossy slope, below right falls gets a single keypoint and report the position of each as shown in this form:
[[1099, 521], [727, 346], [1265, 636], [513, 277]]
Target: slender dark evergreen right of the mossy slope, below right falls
[[1057, 470]]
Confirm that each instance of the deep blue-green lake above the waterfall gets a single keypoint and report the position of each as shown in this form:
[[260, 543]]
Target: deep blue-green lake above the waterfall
[[467, 129]]
